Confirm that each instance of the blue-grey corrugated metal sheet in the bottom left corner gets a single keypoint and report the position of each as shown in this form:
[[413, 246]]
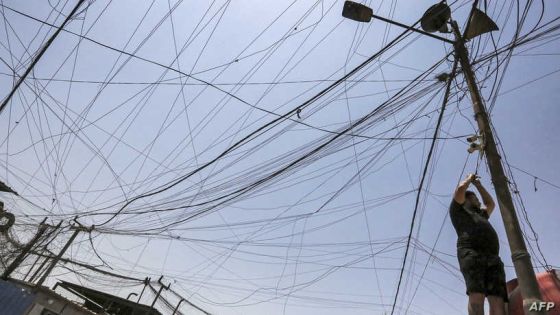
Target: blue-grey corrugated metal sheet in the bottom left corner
[[14, 300]]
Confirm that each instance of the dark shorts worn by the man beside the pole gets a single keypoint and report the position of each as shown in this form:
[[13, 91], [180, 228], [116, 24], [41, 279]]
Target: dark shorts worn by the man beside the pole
[[483, 273]]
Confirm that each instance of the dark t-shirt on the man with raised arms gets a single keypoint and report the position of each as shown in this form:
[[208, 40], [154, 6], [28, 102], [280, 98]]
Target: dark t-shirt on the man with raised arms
[[473, 229]]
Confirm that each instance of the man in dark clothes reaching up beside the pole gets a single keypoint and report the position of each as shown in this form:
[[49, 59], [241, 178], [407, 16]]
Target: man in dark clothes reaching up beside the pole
[[478, 248]]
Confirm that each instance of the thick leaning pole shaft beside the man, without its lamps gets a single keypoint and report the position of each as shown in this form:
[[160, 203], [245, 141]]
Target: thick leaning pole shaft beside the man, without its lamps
[[519, 255]]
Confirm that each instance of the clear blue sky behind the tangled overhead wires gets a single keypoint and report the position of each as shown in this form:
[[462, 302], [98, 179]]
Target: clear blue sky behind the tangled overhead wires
[[93, 127]]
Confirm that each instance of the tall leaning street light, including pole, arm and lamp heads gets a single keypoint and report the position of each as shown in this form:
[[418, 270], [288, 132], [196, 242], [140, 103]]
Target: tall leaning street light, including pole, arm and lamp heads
[[436, 19]]
